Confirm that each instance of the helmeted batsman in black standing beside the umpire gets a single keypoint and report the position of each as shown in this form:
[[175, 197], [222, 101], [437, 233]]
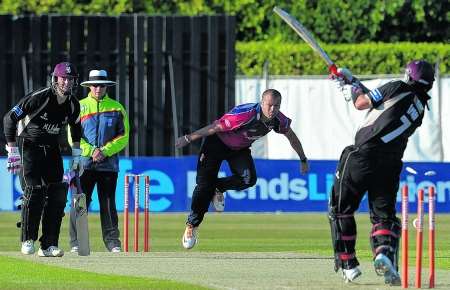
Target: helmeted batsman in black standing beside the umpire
[[31, 129]]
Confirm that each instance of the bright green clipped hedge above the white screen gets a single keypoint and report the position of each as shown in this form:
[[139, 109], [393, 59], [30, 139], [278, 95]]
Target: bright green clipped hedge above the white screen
[[366, 58]]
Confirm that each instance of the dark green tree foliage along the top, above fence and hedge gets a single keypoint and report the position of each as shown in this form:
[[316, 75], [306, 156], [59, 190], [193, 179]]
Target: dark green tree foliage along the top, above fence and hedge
[[331, 21]]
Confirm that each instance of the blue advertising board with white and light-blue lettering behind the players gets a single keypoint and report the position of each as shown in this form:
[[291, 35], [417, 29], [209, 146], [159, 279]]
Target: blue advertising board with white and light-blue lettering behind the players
[[280, 186]]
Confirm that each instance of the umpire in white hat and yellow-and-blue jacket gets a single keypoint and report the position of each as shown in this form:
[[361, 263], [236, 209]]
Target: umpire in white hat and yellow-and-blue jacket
[[105, 132]]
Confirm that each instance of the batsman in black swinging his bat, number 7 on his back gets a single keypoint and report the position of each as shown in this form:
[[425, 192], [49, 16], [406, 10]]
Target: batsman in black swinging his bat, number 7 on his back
[[373, 165]]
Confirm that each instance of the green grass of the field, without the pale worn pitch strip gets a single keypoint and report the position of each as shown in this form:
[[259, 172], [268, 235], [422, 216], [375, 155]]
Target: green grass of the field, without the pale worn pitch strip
[[299, 234]]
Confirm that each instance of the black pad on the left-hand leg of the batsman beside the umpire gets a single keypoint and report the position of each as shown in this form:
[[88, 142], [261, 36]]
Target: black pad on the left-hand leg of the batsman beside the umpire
[[31, 211]]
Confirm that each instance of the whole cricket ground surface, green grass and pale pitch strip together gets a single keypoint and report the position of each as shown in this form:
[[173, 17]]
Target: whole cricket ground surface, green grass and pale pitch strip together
[[235, 251]]
